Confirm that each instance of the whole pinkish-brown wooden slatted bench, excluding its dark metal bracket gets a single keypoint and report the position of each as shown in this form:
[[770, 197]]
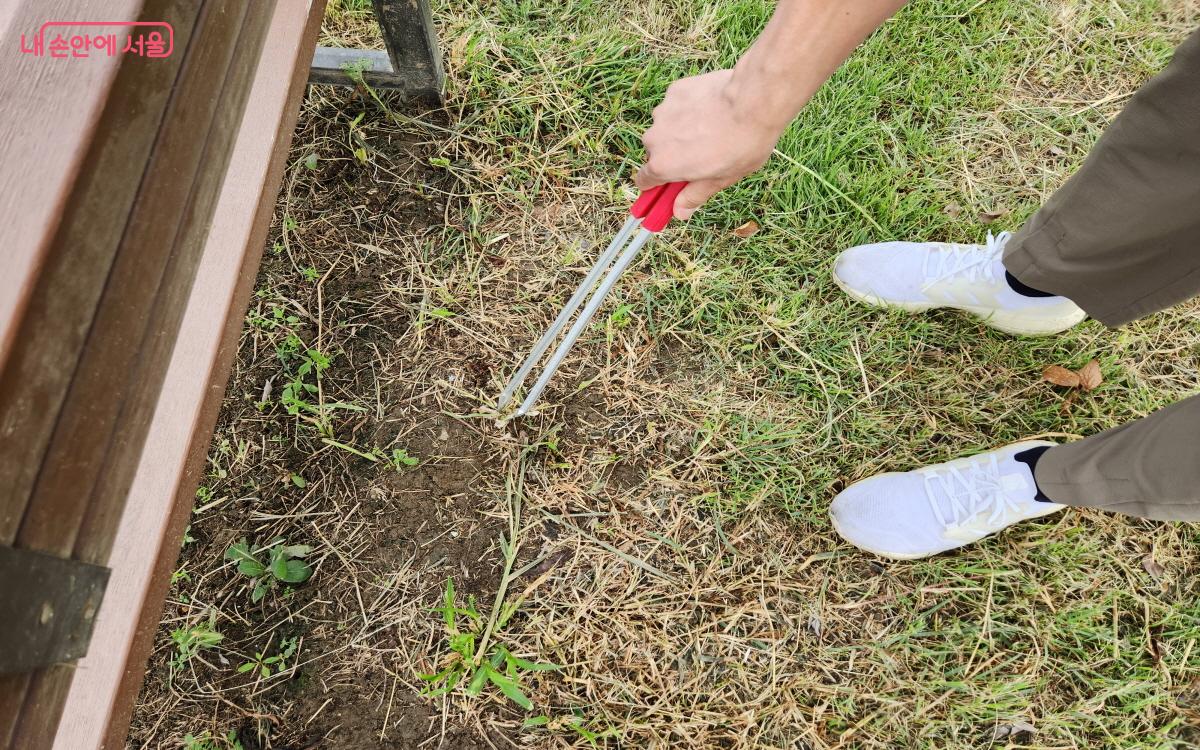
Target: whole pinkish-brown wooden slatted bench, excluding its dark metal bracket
[[117, 196]]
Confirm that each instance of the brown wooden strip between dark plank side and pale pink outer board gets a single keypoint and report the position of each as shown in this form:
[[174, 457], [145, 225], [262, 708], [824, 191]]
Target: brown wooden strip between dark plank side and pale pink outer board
[[142, 307]]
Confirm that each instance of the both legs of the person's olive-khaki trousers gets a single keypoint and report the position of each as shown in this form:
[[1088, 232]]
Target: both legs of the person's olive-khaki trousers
[[1123, 241]]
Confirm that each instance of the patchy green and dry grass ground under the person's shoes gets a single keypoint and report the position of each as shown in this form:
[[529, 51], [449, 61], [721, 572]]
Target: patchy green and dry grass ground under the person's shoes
[[649, 562]]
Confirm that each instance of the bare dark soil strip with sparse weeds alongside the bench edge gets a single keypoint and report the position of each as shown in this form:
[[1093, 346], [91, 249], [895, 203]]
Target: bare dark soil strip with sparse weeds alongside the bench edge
[[380, 476]]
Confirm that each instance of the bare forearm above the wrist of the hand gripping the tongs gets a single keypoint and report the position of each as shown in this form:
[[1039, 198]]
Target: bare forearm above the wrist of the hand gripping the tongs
[[802, 46]]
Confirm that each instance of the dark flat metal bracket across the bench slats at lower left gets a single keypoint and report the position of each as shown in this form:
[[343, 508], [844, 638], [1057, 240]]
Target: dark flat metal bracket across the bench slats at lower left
[[49, 608]]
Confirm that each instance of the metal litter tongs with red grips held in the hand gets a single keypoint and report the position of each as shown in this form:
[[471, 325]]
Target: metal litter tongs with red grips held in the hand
[[650, 215]]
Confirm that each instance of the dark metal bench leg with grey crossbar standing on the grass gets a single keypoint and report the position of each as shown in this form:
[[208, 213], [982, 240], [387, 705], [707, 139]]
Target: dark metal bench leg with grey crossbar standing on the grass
[[412, 63]]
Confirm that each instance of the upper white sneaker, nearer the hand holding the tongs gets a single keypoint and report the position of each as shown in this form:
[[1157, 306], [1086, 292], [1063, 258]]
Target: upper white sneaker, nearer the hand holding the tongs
[[919, 277]]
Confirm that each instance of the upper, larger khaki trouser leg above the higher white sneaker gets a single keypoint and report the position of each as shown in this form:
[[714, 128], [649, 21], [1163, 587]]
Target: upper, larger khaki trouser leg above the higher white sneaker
[[1123, 237]]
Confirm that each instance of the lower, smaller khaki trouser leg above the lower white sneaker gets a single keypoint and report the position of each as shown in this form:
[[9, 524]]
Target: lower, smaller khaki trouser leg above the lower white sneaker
[[1149, 469]]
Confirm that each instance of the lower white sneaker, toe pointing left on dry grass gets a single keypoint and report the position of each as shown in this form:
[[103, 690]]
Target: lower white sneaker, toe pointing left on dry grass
[[916, 514]]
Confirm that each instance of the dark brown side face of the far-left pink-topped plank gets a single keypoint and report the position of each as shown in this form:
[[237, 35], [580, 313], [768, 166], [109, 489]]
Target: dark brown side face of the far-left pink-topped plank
[[63, 302]]
